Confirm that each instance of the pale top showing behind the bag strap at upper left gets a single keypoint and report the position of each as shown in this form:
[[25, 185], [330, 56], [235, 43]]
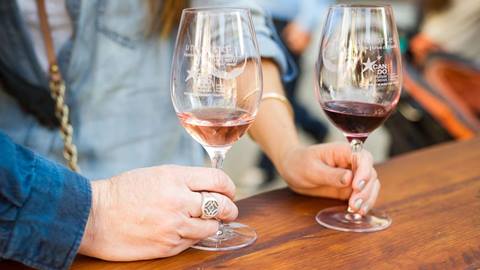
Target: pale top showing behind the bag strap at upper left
[[58, 19]]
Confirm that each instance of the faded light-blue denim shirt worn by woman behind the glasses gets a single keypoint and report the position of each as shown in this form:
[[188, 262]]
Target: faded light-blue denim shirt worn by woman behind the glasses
[[117, 87]]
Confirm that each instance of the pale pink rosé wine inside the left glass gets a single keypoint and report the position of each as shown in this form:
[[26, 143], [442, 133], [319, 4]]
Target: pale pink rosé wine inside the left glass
[[216, 126]]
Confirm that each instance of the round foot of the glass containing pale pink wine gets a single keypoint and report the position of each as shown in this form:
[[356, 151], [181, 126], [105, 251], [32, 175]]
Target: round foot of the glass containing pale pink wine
[[235, 235]]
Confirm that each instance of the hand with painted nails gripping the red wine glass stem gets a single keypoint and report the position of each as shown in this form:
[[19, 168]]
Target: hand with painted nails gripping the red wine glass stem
[[325, 170]]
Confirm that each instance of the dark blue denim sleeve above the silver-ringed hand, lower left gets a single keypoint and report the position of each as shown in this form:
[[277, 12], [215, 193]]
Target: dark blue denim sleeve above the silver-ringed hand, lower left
[[44, 208]]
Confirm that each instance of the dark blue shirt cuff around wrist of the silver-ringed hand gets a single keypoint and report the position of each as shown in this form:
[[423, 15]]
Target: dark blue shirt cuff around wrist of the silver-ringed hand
[[50, 224]]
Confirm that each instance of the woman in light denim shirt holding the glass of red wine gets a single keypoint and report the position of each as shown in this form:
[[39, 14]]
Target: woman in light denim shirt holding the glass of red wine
[[113, 66]]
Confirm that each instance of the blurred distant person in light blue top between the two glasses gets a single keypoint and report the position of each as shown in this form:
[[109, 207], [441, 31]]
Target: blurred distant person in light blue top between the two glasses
[[295, 21]]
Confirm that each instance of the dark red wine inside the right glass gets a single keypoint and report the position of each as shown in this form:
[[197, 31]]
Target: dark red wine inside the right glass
[[356, 119]]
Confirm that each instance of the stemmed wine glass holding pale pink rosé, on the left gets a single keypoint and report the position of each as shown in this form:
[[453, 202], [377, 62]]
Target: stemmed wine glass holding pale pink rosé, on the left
[[216, 88]]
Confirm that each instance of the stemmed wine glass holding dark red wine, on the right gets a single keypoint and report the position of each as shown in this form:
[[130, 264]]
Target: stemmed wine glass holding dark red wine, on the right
[[358, 81]]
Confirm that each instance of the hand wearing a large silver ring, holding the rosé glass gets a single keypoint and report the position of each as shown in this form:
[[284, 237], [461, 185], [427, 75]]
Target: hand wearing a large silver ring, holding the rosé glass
[[154, 212]]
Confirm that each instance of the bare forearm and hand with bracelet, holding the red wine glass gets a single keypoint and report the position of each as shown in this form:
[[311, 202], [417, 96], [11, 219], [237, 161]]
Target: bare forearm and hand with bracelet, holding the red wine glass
[[319, 170]]
